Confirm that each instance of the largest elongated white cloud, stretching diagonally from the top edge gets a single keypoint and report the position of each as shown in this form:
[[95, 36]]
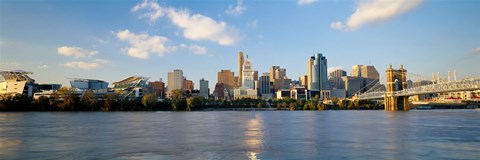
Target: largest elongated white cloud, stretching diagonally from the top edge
[[194, 26]]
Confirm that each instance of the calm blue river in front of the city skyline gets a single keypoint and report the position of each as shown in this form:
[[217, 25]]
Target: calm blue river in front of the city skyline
[[432, 134]]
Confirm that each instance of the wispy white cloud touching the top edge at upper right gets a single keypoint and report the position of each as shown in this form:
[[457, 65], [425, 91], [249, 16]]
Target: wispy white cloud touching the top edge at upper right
[[375, 11]]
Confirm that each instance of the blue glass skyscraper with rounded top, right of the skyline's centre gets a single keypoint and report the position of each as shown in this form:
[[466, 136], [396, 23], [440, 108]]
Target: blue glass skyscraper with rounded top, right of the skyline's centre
[[318, 79]]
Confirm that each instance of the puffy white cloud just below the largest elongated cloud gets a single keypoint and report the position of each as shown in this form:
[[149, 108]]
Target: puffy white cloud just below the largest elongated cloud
[[142, 45]]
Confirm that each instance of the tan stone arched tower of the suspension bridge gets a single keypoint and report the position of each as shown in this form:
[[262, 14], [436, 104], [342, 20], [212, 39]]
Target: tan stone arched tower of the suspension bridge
[[396, 81]]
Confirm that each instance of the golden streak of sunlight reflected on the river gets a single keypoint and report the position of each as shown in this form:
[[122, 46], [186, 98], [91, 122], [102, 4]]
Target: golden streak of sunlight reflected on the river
[[254, 136]]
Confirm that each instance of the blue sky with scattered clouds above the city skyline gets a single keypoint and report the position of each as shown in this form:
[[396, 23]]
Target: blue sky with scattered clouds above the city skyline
[[112, 40]]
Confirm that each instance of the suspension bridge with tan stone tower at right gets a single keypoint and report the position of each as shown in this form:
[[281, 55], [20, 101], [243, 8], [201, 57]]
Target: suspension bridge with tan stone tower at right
[[397, 89]]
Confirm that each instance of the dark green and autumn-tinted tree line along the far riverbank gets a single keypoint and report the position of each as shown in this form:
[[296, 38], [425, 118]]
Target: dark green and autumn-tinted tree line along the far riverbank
[[66, 100]]
